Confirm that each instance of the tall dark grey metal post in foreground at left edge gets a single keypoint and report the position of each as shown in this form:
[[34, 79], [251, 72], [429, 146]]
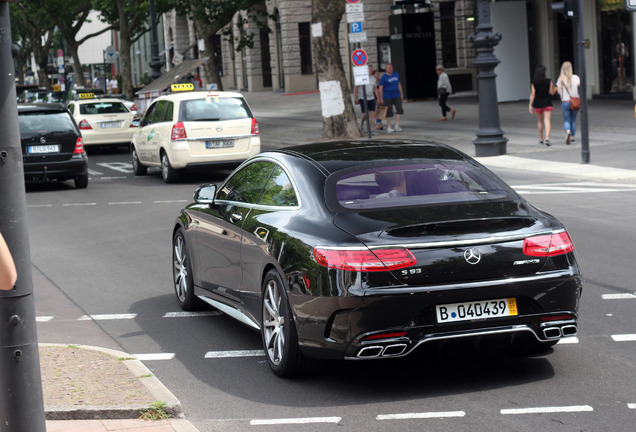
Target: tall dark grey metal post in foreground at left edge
[[21, 400]]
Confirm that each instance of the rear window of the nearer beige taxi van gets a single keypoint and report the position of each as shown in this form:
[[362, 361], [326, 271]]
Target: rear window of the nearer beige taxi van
[[213, 108]]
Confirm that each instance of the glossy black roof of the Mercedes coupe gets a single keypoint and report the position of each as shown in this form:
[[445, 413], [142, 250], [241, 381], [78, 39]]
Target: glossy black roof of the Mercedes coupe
[[337, 155]]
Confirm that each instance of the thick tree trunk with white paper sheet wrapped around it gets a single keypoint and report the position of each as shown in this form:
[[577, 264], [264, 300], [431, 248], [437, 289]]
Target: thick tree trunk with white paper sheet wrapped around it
[[338, 115]]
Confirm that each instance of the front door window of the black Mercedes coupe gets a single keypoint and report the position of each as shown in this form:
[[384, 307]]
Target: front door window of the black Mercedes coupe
[[246, 185]]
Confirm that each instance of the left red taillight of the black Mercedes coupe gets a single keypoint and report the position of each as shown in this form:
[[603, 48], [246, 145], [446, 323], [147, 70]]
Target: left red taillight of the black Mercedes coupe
[[365, 260]]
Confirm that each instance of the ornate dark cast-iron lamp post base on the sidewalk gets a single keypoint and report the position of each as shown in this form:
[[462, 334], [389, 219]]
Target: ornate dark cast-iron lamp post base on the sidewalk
[[490, 140]]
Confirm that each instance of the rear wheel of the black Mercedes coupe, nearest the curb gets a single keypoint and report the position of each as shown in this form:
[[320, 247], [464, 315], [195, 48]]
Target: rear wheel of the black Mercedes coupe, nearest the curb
[[278, 332]]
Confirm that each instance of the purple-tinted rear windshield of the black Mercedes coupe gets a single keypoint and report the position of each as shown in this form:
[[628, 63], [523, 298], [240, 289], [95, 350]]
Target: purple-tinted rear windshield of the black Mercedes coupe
[[414, 184]]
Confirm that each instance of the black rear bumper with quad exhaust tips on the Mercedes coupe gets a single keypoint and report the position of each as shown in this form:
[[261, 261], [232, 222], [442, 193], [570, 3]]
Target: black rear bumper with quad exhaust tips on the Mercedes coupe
[[358, 327]]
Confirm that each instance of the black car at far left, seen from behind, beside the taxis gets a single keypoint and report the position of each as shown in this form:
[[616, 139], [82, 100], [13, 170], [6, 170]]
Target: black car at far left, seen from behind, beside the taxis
[[52, 145]]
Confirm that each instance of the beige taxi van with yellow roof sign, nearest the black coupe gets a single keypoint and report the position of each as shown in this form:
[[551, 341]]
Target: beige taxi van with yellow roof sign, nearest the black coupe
[[188, 128]]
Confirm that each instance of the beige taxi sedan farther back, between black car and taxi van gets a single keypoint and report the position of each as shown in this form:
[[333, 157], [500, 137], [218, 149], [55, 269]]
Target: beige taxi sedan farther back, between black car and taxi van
[[104, 121]]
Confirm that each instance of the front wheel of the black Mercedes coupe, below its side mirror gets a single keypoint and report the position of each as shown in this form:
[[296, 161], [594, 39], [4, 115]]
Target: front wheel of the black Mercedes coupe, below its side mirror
[[182, 273]]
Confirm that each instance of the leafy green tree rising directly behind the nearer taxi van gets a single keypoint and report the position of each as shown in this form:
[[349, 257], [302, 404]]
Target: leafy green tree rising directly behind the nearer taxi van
[[213, 16]]
